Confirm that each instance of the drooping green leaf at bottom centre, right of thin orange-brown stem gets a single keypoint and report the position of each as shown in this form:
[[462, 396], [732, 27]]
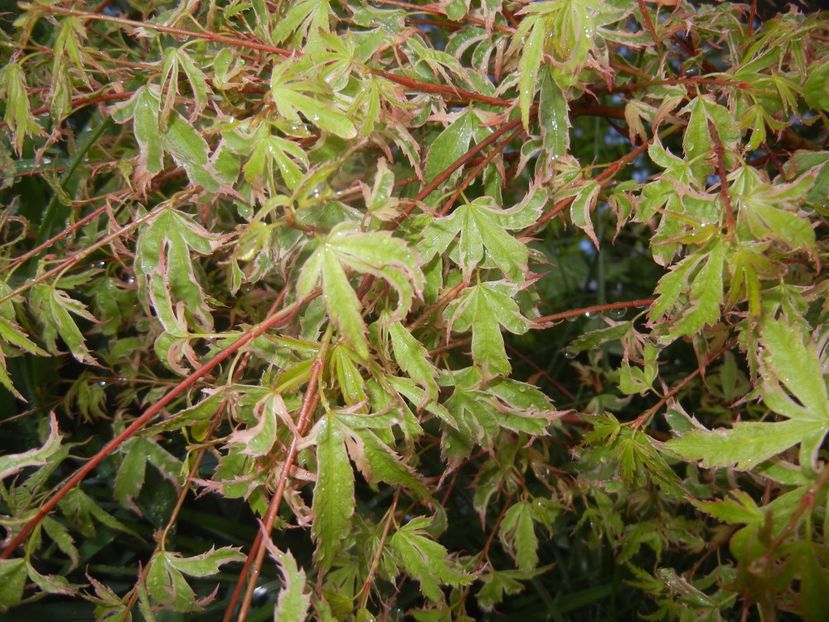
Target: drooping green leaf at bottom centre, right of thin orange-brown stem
[[425, 560]]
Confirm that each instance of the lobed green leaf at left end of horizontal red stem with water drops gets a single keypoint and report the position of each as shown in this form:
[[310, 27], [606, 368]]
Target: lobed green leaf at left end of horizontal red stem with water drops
[[483, 309]]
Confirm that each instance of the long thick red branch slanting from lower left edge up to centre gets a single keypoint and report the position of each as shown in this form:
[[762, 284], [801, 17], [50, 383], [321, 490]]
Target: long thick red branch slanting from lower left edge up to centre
[[277, 319]]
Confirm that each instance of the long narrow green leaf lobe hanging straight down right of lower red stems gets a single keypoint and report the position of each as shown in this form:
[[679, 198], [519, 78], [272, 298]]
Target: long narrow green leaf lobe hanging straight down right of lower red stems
[[333, 503]]
